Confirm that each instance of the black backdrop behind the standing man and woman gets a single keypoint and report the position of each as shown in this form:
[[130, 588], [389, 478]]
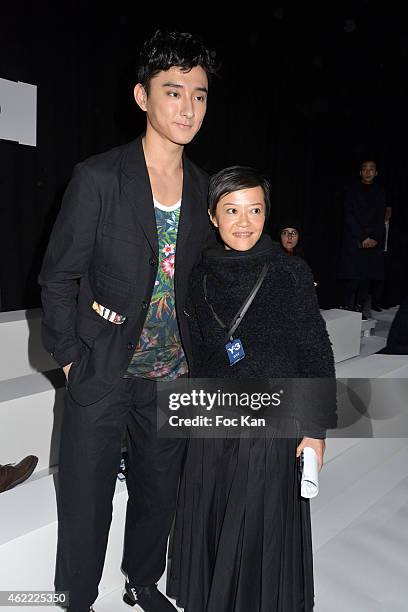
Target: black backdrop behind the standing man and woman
[[305, 93]]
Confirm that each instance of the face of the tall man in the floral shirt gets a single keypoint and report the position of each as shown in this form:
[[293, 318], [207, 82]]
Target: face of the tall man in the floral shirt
[[176, 103]]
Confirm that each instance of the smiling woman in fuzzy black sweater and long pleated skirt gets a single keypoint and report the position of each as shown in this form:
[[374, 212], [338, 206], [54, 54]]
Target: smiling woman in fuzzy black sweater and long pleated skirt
[[242, 538]]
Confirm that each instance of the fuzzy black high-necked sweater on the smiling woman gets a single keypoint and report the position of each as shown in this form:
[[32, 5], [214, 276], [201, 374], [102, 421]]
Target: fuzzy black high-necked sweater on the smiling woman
[[283, 333]]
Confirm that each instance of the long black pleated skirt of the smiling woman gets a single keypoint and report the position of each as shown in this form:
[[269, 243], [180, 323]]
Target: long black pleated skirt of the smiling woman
[[242, 534]]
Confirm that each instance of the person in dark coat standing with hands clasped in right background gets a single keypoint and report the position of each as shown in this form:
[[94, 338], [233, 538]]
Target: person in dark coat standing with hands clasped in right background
[[362, 251]]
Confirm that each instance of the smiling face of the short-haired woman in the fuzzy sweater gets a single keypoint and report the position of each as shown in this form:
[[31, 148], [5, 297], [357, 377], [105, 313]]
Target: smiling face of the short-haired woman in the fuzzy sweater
[[240, 218]]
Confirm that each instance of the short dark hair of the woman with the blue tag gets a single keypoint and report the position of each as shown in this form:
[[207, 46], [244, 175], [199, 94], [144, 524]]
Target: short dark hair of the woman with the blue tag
[[233, 179]]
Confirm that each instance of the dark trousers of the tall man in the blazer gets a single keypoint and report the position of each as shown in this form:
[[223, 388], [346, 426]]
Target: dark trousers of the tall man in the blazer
[[90, 454]]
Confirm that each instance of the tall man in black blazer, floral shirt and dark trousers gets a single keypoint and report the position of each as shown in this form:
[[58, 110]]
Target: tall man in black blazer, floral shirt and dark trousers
[[114, 280]]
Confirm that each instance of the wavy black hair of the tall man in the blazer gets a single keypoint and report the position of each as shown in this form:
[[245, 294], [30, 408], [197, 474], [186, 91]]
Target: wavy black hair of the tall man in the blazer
[[167, 49]]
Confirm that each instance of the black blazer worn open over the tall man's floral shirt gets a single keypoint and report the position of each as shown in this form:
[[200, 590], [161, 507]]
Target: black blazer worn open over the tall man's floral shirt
[[104, 247]]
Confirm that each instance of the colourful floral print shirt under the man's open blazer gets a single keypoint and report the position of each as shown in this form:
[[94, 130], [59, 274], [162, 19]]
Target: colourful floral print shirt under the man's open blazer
[[159, 354]]
